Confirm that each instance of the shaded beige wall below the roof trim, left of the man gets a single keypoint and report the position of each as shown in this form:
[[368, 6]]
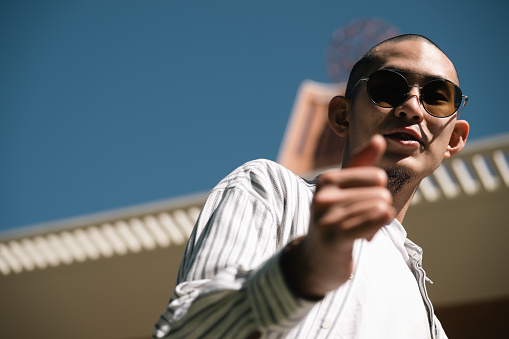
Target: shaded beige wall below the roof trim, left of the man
[[119, 297]]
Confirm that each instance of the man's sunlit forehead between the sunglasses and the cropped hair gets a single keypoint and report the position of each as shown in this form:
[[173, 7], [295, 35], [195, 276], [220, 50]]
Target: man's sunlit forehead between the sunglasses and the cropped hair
[[417, 56]]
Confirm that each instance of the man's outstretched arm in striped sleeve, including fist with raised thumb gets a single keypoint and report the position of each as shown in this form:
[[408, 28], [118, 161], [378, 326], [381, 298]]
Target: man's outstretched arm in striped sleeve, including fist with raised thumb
[[263, 288]]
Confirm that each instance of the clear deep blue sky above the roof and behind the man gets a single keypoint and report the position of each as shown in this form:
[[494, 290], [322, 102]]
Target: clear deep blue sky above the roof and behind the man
[[107, 104]]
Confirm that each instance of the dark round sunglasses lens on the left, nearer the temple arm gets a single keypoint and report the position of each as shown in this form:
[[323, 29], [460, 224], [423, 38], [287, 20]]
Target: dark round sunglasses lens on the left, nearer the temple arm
[[387, 89]]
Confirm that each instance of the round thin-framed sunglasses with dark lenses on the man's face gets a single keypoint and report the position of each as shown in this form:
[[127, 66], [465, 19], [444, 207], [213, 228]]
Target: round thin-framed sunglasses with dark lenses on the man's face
[[387, 88]]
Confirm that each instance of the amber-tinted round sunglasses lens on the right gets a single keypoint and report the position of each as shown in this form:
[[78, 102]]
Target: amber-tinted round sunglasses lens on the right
[[441, 98]]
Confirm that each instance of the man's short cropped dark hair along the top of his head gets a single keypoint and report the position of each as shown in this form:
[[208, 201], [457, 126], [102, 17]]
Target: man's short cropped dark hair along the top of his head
[[370, 61]]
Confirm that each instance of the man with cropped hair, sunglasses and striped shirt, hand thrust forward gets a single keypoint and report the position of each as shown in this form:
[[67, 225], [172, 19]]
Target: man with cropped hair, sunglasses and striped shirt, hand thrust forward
[[275, 256]]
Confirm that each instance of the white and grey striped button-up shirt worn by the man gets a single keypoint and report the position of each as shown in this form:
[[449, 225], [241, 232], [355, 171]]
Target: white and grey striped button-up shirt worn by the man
[[230, 284]]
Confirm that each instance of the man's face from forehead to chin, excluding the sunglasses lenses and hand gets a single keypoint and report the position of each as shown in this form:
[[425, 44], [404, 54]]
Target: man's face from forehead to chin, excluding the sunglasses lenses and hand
[[416, 141]]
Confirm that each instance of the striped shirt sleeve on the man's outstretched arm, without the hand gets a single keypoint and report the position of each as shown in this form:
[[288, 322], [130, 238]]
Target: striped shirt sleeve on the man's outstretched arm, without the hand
[[230, 283]]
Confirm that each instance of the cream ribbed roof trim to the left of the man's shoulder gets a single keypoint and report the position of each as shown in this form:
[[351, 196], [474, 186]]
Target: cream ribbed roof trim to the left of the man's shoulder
[[104, 235]]
